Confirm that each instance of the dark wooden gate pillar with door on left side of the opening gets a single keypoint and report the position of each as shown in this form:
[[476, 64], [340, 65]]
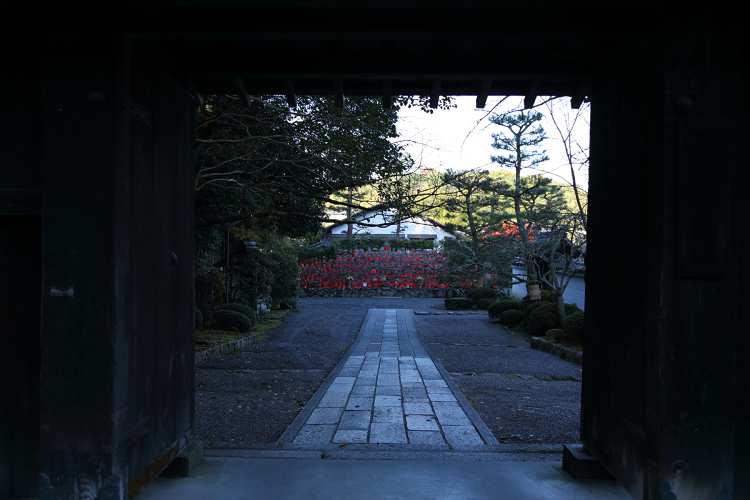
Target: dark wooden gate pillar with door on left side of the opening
[[117, 282]]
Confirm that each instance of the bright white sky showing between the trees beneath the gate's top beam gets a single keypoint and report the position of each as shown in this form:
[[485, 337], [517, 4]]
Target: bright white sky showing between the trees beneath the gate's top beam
[[461, 138]]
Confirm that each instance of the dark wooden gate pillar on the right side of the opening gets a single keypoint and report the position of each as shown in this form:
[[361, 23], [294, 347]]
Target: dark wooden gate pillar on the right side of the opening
[[664, 408]]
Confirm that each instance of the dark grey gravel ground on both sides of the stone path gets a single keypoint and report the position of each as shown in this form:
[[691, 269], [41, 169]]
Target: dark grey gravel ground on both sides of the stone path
[[250, 397]]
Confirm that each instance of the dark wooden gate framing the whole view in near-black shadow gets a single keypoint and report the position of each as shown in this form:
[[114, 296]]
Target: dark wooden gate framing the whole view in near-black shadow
[[96, 207]]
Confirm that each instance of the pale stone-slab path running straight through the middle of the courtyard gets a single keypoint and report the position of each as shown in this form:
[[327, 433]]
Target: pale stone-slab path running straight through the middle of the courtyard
[[388, 390]]
